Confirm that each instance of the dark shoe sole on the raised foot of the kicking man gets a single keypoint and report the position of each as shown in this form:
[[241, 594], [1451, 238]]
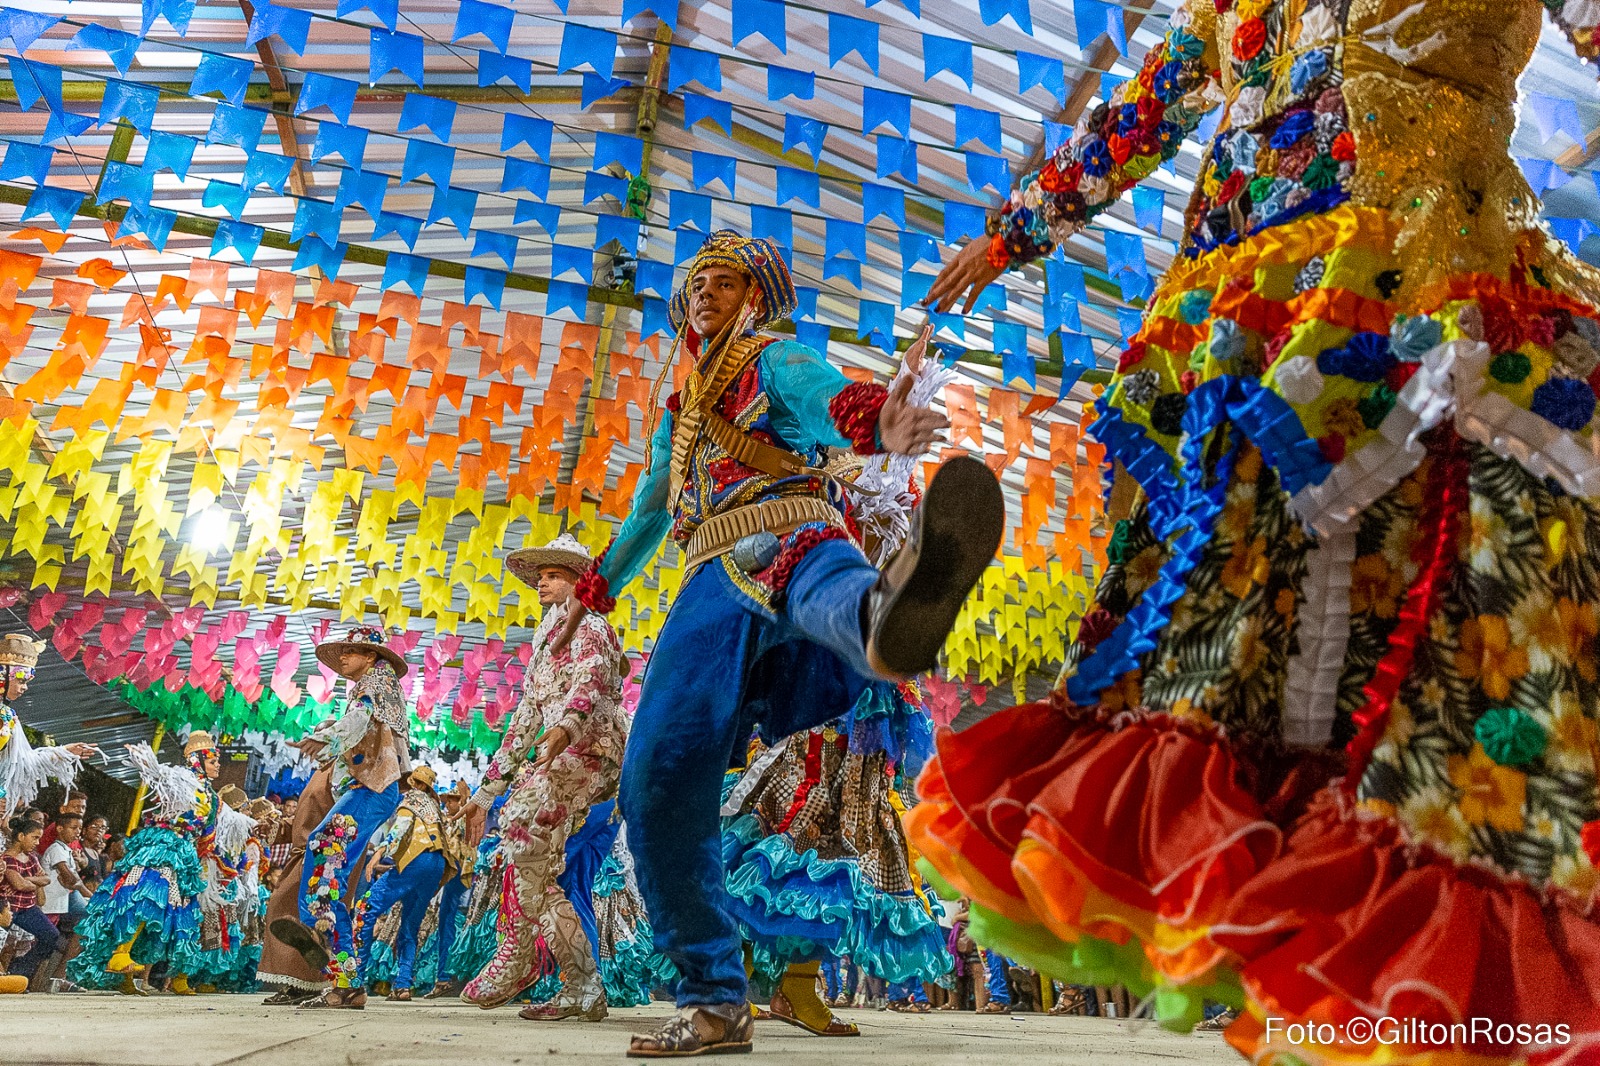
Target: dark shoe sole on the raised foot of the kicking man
[[954, 537]]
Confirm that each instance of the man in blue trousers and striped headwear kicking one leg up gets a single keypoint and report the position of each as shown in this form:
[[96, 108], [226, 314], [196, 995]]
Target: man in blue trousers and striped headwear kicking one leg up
[[782, 619]]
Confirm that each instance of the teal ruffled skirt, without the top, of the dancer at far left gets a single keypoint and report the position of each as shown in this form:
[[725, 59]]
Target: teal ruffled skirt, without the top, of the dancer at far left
[[153, 896]]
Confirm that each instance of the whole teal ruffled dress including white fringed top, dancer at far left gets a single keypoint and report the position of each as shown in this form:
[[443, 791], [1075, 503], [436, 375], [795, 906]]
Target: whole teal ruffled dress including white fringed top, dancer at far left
[[150, 908]]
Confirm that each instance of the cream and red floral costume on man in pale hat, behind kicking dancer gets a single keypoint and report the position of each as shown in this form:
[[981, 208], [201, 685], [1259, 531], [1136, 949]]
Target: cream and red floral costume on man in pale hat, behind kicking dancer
[[578, 691]]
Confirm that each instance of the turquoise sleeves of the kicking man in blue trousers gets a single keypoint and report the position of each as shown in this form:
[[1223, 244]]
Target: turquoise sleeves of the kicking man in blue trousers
[[799, 387]]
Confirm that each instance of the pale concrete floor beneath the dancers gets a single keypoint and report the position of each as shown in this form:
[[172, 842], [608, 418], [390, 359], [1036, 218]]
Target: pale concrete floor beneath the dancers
[[239, 1032]]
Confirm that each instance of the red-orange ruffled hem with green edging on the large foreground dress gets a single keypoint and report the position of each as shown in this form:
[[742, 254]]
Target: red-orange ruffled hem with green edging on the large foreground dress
[[1151, 852]]
